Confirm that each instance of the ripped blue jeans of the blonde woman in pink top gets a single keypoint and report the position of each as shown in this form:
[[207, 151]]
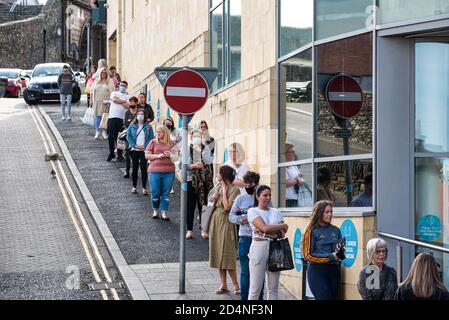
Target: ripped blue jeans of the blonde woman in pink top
[[160, 186]]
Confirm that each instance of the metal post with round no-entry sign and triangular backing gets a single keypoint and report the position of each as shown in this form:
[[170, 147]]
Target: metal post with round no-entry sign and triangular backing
[[185, 91]]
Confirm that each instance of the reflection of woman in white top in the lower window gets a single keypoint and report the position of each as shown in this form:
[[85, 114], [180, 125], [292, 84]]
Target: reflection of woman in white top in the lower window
[[293, 178]]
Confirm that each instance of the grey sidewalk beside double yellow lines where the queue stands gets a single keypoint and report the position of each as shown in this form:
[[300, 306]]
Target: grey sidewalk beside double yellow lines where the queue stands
[[150, 248]]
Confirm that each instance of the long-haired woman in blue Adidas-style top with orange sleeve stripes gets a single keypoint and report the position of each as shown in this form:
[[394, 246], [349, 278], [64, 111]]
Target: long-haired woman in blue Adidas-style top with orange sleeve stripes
[[323, 248]]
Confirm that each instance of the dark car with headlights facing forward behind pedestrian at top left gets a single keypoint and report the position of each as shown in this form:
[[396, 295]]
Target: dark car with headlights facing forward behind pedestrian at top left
[[43, 84]]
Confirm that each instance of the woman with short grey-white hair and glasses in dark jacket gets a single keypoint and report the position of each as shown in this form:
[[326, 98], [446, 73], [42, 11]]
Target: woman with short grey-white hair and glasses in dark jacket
[[377, 281]]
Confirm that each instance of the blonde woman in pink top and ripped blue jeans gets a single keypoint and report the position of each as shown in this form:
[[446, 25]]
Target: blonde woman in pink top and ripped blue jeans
[[161, 152]]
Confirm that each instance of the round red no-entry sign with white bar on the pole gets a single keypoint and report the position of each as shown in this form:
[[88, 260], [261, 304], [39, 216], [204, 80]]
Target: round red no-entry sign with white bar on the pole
[[186, 91]]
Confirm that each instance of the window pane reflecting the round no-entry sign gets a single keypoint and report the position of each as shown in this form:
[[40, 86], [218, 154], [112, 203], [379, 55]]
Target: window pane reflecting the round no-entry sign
[[344, 97]]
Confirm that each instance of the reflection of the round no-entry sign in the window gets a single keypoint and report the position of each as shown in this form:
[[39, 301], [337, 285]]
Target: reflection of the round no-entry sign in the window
[[344, 96]]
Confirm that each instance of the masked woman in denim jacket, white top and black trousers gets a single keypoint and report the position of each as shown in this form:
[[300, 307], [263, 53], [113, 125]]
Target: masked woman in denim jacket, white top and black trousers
[[139, 136]]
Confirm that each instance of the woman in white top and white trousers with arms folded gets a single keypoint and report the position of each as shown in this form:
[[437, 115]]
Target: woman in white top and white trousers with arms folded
[[267, 224]]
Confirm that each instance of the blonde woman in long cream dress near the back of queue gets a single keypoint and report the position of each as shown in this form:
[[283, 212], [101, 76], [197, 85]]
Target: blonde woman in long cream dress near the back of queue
[[101, 92]]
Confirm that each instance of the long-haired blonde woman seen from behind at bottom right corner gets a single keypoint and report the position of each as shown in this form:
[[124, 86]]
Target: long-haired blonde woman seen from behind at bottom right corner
[[423, 281]]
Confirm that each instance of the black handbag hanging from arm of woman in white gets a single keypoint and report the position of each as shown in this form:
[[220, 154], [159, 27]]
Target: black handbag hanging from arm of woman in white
[[280, 256]]
